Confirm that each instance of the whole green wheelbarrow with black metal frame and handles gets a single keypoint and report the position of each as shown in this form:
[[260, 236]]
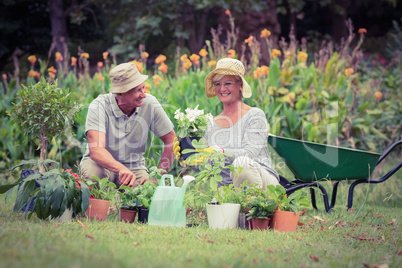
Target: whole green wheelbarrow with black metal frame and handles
[[313, 162]]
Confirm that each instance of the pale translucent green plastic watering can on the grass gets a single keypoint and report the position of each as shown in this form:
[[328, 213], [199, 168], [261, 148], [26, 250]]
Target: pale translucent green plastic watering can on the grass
[[167, 208]]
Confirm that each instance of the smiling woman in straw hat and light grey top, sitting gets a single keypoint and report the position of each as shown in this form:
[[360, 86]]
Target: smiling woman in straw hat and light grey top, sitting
[[240, 130]]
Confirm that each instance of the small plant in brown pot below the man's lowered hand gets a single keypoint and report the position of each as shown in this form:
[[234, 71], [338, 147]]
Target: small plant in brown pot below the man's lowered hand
[[128, 207]]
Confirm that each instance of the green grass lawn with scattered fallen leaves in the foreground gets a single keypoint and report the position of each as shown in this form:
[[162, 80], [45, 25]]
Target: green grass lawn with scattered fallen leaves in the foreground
[[367, 236]]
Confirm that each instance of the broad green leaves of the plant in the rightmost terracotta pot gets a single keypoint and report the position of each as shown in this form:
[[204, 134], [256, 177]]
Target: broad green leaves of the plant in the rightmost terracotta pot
[[295, 202]]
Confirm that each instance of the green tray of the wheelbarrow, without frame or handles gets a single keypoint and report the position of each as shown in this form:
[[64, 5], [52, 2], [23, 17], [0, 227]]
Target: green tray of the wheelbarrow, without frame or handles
[[310, 161]]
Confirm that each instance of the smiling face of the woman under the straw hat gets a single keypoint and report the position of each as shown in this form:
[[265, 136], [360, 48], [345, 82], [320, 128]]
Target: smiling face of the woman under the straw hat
[[228, 89]]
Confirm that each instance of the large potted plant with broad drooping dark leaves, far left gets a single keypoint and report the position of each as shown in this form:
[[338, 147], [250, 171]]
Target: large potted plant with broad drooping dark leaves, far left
[[60, 193]]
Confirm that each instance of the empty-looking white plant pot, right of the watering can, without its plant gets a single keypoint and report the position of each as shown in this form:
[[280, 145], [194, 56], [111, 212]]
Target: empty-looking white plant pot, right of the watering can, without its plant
[[224, 216]]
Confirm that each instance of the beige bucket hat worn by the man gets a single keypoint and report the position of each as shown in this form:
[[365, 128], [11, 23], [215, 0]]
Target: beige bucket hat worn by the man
[[125, 76]]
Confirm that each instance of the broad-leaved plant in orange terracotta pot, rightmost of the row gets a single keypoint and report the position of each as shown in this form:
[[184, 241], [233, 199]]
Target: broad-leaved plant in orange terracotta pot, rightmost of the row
[[286, 216]]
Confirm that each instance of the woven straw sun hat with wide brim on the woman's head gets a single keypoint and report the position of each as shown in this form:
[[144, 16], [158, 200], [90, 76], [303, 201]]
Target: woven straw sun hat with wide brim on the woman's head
[[227, 66]]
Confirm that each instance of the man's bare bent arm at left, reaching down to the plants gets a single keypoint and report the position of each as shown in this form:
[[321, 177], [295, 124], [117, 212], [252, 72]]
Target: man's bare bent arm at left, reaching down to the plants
[[99, 154]]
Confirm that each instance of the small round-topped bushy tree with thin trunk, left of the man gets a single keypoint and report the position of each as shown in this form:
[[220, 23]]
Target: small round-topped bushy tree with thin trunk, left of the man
[[44, 111]]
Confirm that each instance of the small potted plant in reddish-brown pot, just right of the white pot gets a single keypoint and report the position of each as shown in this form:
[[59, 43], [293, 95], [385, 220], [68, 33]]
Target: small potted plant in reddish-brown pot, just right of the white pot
[[260, 208]]
